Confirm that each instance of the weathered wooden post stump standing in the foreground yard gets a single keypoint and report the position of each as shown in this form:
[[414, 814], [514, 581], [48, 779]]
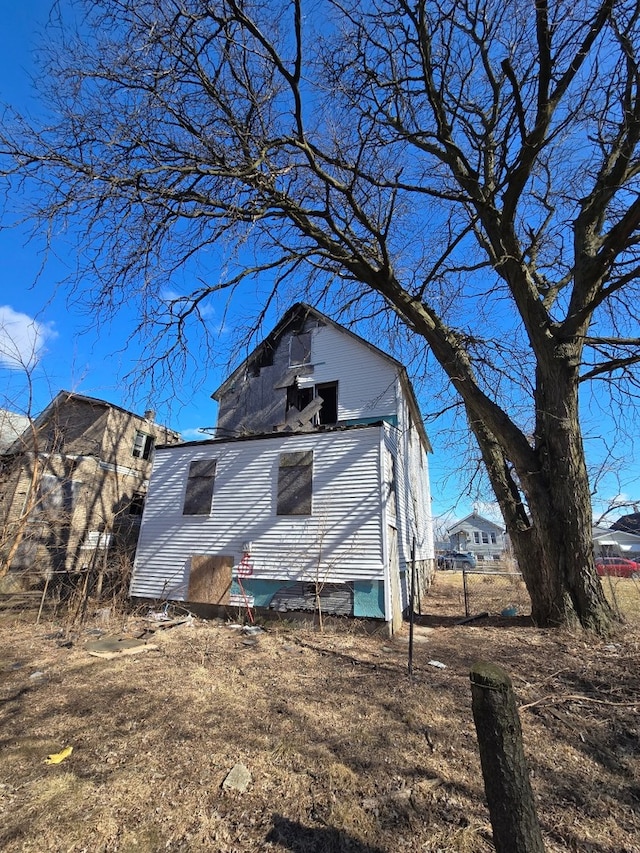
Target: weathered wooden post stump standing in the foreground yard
[[506, 778]]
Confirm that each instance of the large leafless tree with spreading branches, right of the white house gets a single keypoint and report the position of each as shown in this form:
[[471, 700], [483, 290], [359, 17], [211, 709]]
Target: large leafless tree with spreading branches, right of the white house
[[472, 165]]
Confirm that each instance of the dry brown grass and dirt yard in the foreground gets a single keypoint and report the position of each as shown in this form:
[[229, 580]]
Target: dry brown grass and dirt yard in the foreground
[[345, 752]]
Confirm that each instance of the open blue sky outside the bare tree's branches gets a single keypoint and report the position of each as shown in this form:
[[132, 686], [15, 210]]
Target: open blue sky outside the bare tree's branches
[[67, 351]]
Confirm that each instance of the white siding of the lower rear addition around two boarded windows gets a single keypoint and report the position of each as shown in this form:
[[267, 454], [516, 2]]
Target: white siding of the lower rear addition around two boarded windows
[[340, 541]]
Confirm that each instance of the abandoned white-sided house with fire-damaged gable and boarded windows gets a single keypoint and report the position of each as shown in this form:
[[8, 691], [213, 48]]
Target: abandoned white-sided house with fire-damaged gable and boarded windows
[[314, 490]]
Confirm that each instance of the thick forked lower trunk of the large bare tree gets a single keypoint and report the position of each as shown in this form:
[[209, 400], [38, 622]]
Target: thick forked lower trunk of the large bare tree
[[551, 536]]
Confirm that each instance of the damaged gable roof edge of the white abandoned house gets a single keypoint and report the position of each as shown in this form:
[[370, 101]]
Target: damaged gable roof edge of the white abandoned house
[[295, 318]]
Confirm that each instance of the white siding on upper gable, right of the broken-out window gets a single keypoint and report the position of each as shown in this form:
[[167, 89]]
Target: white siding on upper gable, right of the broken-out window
[[366, 380]]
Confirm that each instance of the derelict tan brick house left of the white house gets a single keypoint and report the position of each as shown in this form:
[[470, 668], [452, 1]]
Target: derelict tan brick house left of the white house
[[73, 486]]
